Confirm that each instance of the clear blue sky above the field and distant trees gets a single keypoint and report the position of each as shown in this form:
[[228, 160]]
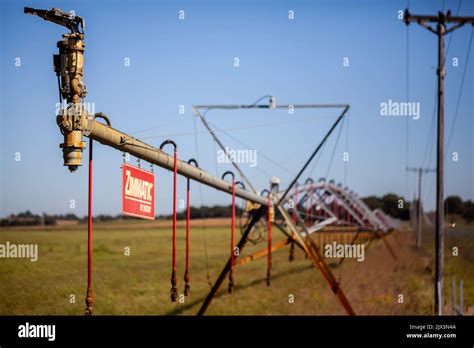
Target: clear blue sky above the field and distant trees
[[174, 62]]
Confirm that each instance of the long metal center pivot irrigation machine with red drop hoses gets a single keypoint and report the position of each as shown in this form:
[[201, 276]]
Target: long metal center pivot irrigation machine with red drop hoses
[[308, 215]]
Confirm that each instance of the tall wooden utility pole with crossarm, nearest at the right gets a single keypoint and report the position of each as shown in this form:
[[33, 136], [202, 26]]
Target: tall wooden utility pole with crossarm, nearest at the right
[[441, 20]]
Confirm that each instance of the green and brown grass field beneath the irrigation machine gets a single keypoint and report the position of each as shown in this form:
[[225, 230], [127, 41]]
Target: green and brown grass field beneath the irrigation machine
[[140, 283]]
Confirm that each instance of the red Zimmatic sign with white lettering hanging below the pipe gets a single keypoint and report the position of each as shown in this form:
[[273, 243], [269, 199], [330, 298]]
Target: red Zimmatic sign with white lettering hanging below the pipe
[[138, 192]]
